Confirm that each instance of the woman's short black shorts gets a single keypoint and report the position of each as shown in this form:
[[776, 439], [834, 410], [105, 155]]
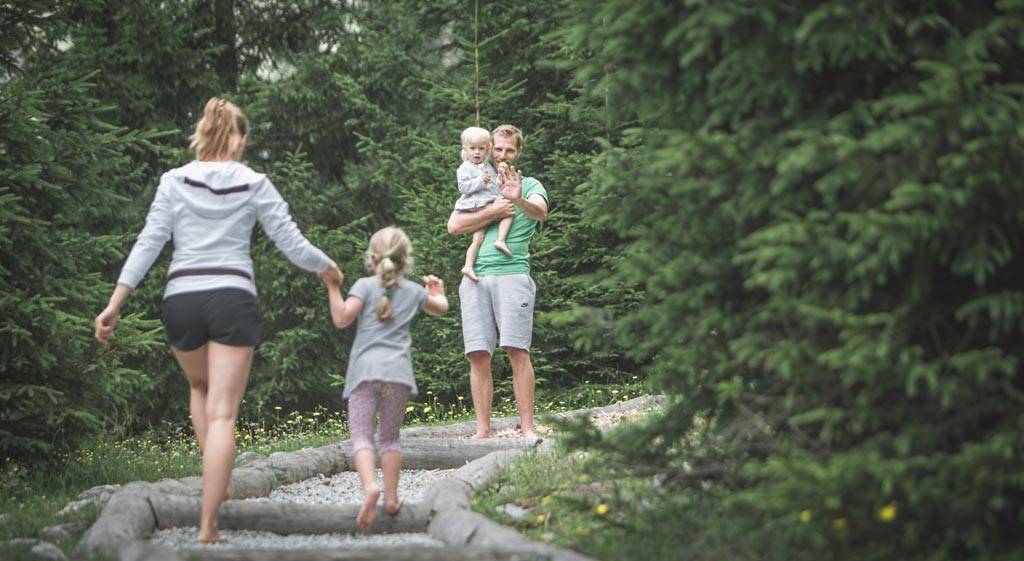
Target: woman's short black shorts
[[230, 317]]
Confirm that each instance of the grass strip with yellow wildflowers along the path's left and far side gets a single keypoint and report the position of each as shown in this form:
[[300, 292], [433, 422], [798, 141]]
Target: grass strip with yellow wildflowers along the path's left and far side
[[31, 497]]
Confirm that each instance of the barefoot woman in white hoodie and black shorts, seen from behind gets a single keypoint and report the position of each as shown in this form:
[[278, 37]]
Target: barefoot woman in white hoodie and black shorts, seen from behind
[[211, 317]]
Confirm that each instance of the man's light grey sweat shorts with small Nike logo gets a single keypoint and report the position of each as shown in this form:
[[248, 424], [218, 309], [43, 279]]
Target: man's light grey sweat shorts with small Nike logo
[[498, 305]]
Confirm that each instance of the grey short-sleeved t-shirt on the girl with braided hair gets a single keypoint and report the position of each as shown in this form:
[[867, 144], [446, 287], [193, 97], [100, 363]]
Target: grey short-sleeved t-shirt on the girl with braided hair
[[383, 351]]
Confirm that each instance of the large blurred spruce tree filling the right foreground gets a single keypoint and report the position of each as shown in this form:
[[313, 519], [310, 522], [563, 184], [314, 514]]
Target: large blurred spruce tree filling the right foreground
[[822, 204]]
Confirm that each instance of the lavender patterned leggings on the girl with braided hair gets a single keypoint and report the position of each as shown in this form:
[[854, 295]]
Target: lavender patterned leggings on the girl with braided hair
[[369, 400]]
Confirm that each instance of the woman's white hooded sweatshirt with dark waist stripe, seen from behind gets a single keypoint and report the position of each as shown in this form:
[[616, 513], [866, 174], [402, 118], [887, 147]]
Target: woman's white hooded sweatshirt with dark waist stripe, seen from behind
[[210, 210]]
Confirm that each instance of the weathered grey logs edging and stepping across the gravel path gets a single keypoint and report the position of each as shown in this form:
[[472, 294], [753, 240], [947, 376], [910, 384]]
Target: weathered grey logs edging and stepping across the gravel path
[[132, 514]]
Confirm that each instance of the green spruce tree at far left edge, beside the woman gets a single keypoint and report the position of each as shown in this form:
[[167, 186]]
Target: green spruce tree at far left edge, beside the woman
[[65, 175]]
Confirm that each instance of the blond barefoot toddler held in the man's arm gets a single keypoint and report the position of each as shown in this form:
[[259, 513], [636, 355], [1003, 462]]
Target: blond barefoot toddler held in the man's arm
[[479, 186]]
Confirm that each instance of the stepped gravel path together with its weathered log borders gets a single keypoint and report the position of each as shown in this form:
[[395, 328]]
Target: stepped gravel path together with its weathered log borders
[[129, 529]]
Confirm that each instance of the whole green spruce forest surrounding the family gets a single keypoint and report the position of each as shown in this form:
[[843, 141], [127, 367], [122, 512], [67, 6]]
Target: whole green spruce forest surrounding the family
[[802, 222]]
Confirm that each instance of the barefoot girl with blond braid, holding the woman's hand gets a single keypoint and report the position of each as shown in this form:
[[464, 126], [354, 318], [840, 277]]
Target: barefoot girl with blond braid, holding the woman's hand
[[380, 381]]
